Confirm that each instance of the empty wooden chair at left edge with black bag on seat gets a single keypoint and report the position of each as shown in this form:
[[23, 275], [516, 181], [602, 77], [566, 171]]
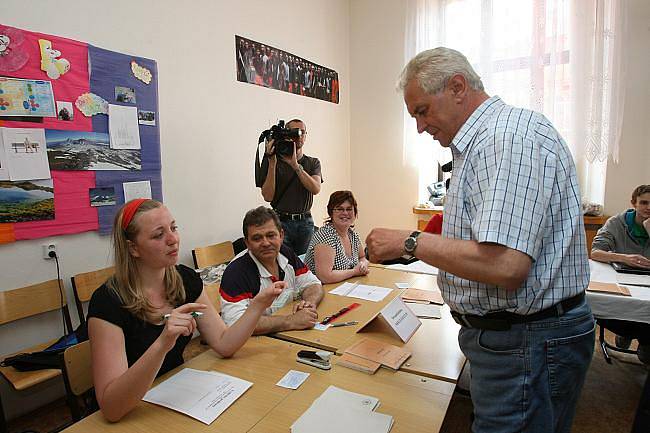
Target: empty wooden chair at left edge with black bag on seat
[[22, 303]]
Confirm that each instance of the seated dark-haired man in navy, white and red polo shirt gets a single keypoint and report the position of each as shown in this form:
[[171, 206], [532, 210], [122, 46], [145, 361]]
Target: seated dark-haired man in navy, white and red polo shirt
[[265, 262]]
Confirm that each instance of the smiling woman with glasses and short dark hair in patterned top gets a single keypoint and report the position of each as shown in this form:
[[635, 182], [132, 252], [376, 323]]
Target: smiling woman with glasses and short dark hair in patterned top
[[334, 253]]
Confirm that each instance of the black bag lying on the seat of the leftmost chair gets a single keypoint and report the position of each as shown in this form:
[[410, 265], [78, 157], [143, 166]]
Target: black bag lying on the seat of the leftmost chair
[[49, 357]]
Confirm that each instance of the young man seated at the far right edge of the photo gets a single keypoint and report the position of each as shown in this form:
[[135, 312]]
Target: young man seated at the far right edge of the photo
[[624, 239]]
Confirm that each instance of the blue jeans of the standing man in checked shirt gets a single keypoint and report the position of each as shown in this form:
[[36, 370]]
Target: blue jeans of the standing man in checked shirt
[[529, 378]]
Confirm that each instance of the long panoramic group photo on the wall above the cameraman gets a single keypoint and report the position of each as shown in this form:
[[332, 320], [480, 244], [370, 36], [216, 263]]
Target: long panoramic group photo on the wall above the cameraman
[[267, 66]]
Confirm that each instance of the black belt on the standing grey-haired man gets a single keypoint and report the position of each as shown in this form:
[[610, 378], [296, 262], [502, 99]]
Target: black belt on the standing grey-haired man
[[502, 320]]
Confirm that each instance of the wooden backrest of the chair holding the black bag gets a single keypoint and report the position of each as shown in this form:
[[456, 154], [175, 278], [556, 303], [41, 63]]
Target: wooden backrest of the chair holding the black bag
[[32, 300]]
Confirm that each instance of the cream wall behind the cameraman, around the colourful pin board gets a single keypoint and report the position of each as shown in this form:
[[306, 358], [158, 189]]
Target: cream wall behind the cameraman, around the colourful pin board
[[209, 122]]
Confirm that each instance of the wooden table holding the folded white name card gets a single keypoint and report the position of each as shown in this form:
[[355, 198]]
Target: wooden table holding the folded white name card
[[434, 346]]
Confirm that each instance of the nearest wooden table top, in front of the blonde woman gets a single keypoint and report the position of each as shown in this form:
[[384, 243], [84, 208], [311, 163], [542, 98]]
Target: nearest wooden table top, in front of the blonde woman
[[266, 407]]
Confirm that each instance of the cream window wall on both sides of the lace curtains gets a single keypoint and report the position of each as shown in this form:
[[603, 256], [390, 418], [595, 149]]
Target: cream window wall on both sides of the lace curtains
[[383, 178]]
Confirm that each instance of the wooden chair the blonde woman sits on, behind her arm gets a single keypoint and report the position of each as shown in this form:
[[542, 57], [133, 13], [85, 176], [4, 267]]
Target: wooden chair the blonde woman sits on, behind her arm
[[78, 380]]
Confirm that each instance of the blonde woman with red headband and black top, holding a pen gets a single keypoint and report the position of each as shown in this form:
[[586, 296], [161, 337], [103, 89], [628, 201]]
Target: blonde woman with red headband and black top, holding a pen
[[141, 319]]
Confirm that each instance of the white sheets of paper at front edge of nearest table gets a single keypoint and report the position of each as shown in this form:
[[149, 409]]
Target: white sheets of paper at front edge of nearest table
[[338, 410]]
